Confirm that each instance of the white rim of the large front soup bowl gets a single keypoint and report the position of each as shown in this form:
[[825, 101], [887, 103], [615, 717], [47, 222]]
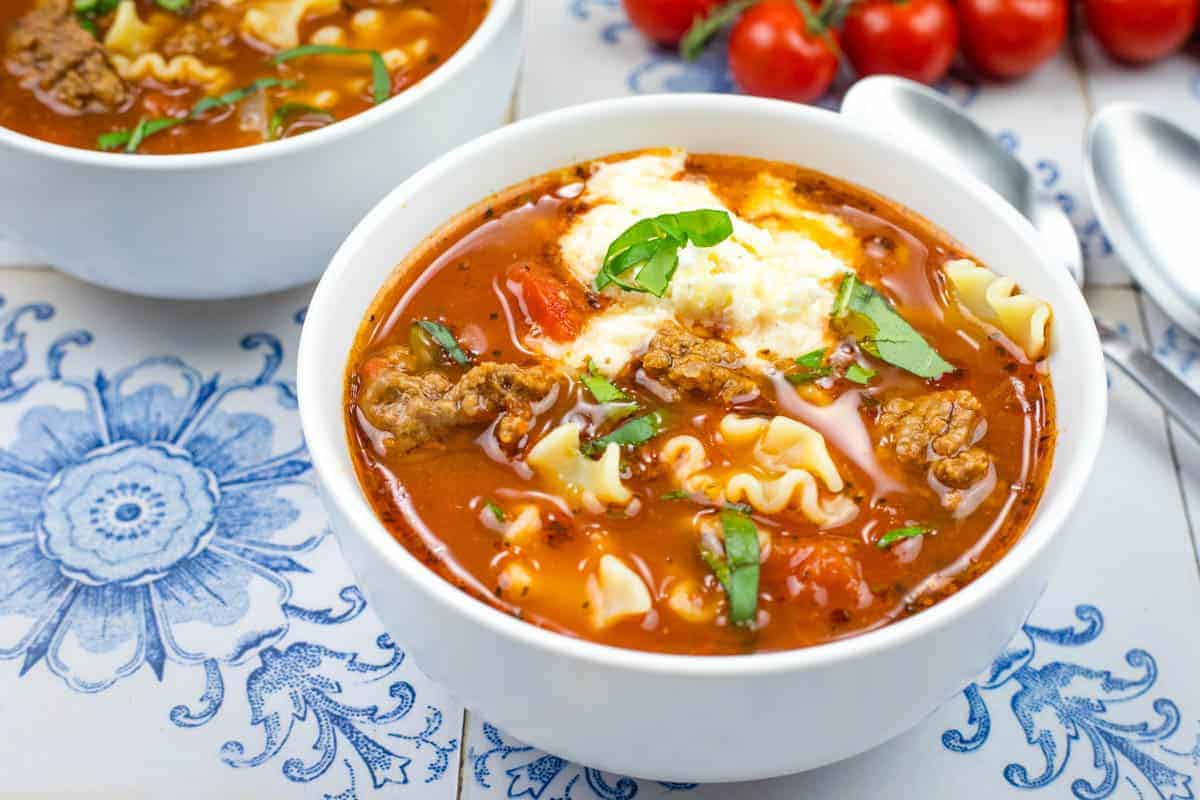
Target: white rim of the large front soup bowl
[[327, 437]]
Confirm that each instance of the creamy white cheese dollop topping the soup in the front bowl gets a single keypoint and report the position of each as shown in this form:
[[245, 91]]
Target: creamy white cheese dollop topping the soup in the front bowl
[[769, 291]]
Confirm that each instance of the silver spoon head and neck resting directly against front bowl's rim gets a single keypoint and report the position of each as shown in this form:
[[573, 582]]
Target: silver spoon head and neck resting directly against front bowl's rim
[[926, 121]]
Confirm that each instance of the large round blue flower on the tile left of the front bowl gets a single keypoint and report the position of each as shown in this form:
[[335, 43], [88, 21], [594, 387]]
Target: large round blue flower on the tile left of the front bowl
[[148, 519]]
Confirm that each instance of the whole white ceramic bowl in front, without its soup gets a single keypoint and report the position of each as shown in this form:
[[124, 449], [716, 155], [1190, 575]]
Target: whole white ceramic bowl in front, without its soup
[[689, 718]]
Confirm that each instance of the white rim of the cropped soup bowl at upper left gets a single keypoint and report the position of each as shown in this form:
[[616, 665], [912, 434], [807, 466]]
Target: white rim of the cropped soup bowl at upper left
[[499, 14]]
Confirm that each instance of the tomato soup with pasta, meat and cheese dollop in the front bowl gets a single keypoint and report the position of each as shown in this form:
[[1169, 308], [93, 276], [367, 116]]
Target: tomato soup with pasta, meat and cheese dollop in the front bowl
[[701, 405]]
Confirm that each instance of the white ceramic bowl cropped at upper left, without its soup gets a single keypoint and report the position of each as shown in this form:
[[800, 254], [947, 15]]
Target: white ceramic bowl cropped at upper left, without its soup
[[250, 220]]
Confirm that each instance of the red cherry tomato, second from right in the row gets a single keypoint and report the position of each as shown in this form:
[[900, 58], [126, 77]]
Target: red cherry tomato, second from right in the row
[[1009, 39]]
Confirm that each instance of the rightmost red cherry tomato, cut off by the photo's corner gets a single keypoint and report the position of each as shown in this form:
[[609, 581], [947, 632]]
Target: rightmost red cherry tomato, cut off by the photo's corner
[[1142, 31]]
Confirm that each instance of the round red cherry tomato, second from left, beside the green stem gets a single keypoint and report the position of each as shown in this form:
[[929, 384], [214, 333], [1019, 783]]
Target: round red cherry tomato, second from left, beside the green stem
[[776, 51]]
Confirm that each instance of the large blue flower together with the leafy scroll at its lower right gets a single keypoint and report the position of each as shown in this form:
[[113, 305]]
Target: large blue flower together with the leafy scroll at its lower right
[[157, 516]]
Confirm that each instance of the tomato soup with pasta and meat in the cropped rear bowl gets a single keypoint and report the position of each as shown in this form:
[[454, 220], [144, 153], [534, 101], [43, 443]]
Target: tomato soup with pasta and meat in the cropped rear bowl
[[189, 76]]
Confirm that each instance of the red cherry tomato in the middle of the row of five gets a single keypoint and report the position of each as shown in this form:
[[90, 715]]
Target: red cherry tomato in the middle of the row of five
[[913, 39]]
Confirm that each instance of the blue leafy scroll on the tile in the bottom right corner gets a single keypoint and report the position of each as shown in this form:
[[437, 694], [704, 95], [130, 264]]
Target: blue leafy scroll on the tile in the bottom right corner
[[1060, 705]]
